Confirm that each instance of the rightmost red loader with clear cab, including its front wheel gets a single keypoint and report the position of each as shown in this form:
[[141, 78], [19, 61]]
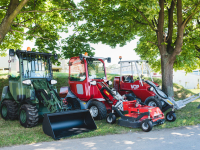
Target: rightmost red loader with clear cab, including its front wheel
[[133, 84]]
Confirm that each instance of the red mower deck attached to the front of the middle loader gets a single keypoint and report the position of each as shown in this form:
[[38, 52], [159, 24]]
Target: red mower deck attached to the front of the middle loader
[[138, 114]]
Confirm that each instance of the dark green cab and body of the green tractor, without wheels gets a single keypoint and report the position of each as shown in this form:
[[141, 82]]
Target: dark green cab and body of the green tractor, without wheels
[[29, 68]]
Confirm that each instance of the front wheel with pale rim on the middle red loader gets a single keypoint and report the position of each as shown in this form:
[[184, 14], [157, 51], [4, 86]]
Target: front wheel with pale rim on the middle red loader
[[97, 110]]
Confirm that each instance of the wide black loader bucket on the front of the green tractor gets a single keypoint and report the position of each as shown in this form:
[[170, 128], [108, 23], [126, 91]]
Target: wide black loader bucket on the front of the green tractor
[[64, 124]]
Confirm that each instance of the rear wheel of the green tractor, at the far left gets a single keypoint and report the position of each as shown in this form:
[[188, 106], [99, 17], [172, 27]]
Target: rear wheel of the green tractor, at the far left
[[9, 110]]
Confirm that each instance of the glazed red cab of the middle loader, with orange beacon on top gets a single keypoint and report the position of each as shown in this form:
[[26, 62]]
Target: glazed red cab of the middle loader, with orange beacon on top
[[84, 72]]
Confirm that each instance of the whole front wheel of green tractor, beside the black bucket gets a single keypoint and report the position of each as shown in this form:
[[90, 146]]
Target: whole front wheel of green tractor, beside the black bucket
[[28, 116]]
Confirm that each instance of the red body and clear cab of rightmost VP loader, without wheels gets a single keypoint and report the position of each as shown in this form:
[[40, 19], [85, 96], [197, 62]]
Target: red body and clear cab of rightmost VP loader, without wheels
[[131, 79]]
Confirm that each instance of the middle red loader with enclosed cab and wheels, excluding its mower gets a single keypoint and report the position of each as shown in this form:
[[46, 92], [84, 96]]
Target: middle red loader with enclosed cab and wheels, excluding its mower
[[86, 74]]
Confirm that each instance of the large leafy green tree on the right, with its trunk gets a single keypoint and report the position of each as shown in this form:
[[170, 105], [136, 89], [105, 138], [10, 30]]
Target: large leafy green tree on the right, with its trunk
[[168, 30]]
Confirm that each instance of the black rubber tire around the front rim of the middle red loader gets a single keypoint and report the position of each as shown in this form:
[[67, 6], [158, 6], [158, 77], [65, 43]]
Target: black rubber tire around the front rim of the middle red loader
[[102, 112]]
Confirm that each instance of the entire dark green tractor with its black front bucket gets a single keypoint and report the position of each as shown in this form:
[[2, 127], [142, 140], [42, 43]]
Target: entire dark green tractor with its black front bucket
[[32, 94]]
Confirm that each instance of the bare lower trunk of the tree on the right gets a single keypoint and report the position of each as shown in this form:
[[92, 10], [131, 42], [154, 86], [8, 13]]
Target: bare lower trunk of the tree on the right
[[167, 75]]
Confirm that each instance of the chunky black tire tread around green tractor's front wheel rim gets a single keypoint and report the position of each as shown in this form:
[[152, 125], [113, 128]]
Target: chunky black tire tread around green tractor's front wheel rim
[[32, 115]]
